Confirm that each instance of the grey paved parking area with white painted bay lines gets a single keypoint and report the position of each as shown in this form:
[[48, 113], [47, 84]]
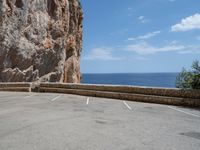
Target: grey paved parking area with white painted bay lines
[[43, 121]]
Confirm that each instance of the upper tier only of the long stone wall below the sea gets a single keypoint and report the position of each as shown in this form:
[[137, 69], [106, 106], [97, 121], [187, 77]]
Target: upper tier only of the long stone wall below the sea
[[168, 92]]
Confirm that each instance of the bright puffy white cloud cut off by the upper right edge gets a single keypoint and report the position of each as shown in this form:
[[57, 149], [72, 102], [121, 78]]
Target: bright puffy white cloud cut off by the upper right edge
[[188, 23]]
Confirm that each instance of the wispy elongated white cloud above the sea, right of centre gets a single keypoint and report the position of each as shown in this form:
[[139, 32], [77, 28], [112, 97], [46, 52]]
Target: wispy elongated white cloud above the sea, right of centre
[[143, 48]]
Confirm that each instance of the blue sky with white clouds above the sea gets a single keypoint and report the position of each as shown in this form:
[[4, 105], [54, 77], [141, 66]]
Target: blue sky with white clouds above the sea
[[136, 36]]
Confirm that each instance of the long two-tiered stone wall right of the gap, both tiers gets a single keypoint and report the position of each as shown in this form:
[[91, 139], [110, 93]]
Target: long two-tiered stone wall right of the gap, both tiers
[[142, 94]]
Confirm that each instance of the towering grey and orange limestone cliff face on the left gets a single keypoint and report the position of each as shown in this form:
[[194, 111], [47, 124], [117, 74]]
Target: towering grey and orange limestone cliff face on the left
[[40, 40]]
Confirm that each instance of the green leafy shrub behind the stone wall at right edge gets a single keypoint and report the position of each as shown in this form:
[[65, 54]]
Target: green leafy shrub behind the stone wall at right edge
[[189, 79]]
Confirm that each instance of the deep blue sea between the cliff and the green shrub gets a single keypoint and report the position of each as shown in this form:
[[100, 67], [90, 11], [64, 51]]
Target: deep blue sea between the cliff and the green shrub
[[135, 79]]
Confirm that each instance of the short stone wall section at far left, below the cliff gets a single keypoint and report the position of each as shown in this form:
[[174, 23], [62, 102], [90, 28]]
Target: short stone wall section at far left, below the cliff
[[16, 87]]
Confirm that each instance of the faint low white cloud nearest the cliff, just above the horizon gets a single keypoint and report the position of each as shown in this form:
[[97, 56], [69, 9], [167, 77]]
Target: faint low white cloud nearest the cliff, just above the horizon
[[102, 54]]
